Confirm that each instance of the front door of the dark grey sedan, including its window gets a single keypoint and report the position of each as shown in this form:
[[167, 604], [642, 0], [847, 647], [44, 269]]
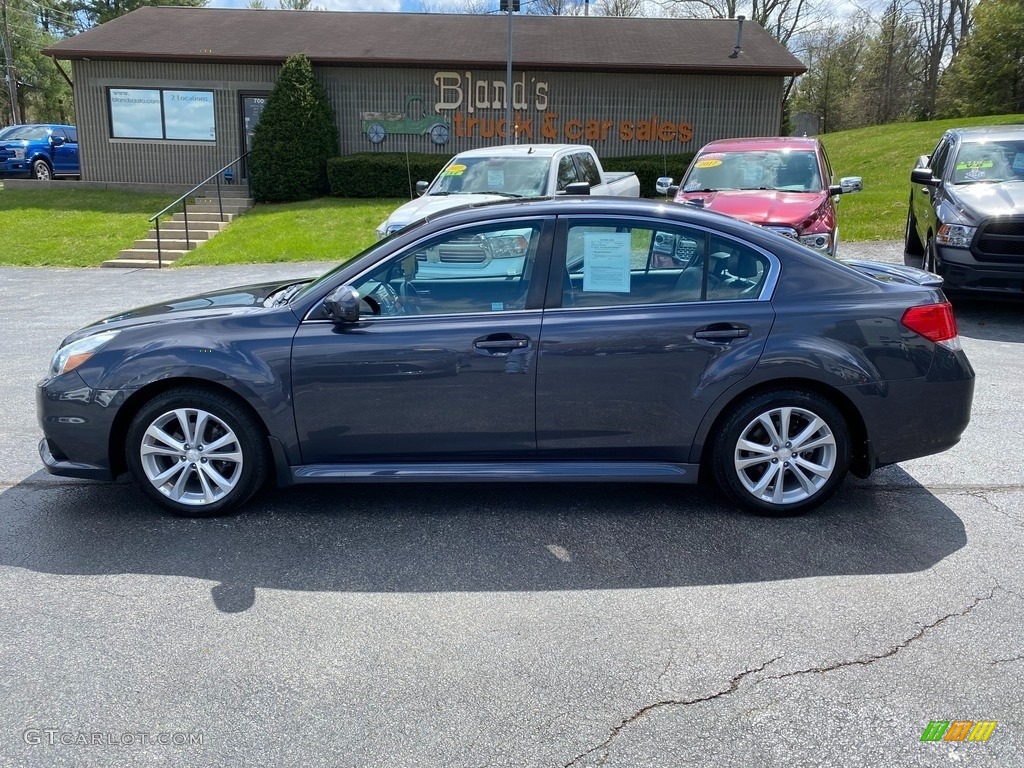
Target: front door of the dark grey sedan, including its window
[[438, 368]]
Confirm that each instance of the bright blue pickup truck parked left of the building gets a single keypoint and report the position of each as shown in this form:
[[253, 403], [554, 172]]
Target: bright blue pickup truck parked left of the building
[[41, 152]]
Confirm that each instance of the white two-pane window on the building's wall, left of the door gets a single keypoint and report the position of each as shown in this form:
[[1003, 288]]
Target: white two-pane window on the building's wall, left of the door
[[162, 114]]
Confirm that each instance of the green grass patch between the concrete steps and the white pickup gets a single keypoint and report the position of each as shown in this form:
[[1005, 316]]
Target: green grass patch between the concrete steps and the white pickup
[[329, 229]]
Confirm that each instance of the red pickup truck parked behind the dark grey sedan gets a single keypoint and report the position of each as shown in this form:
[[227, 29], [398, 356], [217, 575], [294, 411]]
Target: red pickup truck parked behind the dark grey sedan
[[783, 184]]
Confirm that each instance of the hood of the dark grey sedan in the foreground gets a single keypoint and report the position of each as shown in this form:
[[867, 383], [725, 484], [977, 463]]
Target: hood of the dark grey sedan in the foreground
[[214, 305]]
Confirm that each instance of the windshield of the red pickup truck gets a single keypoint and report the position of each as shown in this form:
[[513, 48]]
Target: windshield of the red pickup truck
[[755, 169]]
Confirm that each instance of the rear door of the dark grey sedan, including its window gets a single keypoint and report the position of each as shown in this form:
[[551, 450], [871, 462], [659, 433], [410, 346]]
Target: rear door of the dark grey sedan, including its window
[[649, 325]]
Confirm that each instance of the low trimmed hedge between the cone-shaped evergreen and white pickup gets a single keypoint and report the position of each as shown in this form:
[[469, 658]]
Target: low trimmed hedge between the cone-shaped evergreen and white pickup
[[382, 175]]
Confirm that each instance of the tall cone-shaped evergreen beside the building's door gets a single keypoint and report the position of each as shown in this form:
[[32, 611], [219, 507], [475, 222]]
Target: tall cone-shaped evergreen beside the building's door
[[296, 136]]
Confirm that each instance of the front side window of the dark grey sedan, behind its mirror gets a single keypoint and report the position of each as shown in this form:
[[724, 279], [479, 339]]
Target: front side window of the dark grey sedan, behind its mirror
[[479, 270]]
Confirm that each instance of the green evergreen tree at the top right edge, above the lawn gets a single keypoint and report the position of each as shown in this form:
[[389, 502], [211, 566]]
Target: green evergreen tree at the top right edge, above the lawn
[[988, 77]]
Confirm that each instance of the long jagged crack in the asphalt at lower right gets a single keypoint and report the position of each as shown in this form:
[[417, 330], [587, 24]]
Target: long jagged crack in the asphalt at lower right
[[606, 747]]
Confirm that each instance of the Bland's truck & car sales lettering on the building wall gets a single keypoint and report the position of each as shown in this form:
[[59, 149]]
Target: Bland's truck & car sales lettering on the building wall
[[478, 109]]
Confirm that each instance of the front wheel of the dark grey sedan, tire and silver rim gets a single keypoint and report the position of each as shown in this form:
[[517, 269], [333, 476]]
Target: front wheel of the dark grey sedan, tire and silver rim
[[209, 474]]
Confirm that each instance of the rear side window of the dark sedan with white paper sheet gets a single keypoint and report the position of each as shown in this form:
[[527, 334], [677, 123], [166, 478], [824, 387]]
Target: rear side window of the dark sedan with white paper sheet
[[614, 266]]
